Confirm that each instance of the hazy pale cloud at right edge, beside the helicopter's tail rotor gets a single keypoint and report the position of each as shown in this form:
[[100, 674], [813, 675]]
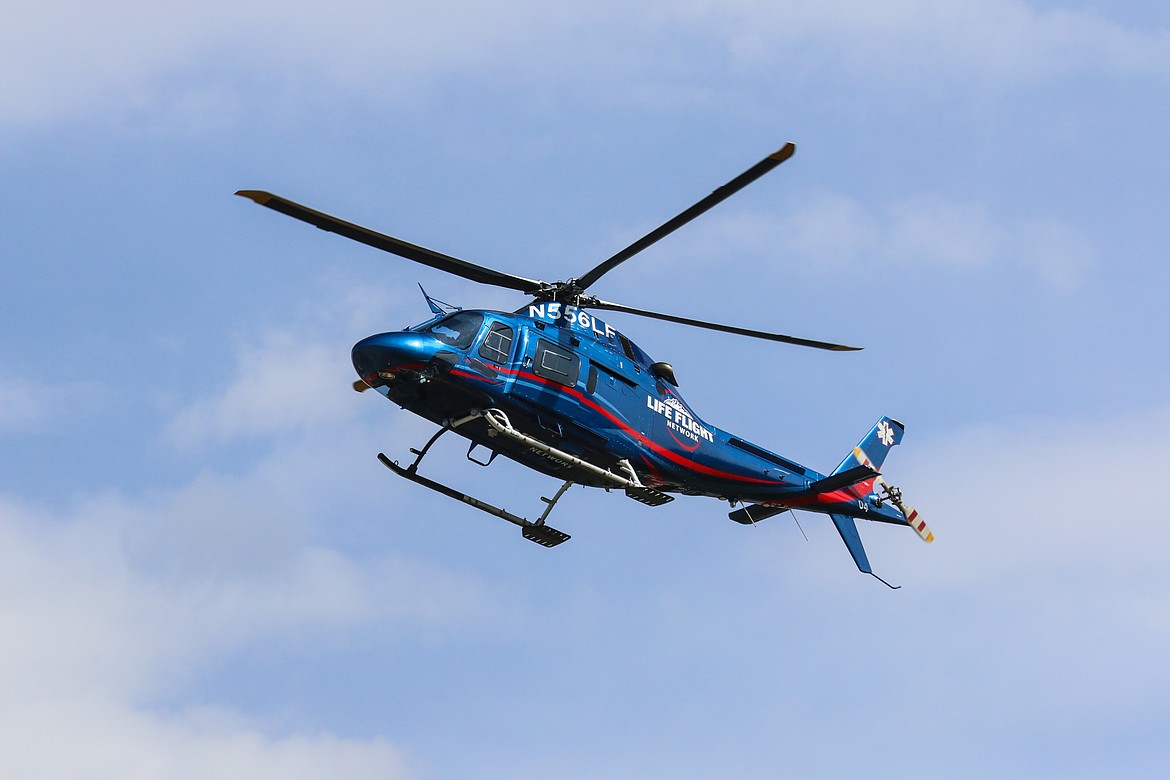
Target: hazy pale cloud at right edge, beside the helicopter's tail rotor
[[1066, 499]]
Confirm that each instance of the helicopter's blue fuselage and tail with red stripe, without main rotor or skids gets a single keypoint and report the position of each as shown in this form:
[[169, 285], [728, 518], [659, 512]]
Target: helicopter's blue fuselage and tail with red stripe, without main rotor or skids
[[565, 377]]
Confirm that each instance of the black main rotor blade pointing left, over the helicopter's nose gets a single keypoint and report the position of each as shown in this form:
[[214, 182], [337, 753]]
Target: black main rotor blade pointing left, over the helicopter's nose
[[391, 245]]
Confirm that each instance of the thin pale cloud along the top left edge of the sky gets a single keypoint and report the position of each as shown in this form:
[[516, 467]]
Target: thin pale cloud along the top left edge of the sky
[[63, 58]]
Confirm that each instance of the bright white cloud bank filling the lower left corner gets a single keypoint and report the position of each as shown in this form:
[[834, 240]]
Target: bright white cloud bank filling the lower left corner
[[119, 603]]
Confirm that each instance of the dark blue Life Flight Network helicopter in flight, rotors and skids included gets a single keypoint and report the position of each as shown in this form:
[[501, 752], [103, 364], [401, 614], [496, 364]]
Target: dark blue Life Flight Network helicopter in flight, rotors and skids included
[[555, 389]]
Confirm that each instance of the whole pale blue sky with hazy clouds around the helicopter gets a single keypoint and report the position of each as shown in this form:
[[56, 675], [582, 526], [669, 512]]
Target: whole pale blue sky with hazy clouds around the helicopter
[[205, 572]]
